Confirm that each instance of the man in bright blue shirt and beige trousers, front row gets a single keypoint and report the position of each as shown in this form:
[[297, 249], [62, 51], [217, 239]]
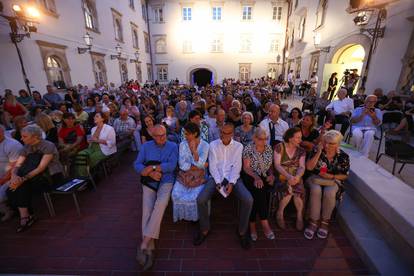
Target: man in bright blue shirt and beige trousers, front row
[[155, 199]]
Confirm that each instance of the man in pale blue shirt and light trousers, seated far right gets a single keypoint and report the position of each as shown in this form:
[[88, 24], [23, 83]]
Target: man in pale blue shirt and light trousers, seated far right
[[365, 120]]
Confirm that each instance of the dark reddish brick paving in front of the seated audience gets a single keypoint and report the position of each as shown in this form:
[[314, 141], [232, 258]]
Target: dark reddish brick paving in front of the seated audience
[[103, 240]]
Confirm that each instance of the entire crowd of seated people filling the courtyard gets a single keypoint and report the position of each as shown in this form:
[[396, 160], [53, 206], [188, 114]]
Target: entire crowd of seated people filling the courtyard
[[232, 137]]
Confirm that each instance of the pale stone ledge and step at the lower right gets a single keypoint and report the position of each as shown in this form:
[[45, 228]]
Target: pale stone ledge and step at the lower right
[[378, 216]]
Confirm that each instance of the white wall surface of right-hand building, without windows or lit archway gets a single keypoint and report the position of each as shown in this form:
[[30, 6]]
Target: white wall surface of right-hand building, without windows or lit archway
[[339, 29]]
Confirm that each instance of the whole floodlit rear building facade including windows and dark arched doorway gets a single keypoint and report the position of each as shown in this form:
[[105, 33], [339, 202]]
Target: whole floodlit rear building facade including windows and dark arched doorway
[[206, 41]]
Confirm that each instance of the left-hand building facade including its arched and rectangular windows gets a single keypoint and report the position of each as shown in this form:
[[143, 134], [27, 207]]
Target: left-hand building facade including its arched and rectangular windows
[[51, 54]]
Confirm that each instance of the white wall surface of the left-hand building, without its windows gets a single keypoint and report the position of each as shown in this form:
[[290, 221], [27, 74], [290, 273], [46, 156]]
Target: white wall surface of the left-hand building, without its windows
[[68, 29]]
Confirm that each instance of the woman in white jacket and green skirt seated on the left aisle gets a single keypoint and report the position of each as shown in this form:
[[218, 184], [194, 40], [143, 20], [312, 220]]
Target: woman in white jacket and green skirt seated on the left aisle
[[102, 143]]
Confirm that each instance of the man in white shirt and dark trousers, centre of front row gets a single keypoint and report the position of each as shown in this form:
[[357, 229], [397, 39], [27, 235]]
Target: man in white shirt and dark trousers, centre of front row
[[225, 163]]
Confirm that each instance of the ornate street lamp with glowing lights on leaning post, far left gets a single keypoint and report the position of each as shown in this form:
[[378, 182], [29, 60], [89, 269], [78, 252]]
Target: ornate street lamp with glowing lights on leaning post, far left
[[22, 24]]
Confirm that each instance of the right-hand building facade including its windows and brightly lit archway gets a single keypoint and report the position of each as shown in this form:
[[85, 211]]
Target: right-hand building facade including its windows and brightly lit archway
[[325, 37]]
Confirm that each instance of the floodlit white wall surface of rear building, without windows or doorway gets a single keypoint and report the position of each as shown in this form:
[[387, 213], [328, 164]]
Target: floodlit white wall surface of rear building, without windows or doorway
[[202, 29]]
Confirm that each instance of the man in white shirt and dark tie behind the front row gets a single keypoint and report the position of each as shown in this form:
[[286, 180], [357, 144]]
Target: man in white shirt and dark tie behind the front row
[[274, 126]]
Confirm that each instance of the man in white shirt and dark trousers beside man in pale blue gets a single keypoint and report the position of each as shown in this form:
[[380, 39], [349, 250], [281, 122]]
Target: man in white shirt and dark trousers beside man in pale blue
[[340, 110]]
